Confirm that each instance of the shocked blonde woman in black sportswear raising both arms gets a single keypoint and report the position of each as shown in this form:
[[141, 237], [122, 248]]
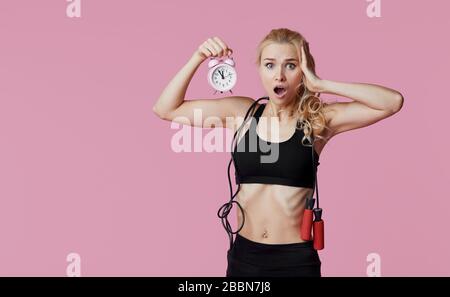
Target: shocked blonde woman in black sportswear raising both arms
[[272, 195]]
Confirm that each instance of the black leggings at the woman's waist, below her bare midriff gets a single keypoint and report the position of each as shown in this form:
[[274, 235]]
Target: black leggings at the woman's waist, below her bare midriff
[[250, 258]]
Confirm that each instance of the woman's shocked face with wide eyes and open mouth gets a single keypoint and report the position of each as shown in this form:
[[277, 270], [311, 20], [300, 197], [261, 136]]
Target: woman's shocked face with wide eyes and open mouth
[[280, 72]]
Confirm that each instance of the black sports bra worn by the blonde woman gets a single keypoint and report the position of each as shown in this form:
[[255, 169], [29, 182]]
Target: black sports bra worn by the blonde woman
[[264, 162]]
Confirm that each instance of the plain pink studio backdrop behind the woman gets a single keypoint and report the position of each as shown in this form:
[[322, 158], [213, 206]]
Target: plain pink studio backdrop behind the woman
[[87, 168]]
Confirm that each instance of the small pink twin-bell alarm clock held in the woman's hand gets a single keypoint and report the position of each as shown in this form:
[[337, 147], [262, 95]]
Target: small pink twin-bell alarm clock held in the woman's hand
[[222, 74]]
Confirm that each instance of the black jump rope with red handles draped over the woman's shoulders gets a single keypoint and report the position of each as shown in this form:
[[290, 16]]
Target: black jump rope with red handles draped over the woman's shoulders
[[312, 216]]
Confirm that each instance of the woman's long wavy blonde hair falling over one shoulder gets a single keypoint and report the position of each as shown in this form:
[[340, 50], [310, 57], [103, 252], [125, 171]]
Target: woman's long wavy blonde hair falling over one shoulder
[[310, 107]]
